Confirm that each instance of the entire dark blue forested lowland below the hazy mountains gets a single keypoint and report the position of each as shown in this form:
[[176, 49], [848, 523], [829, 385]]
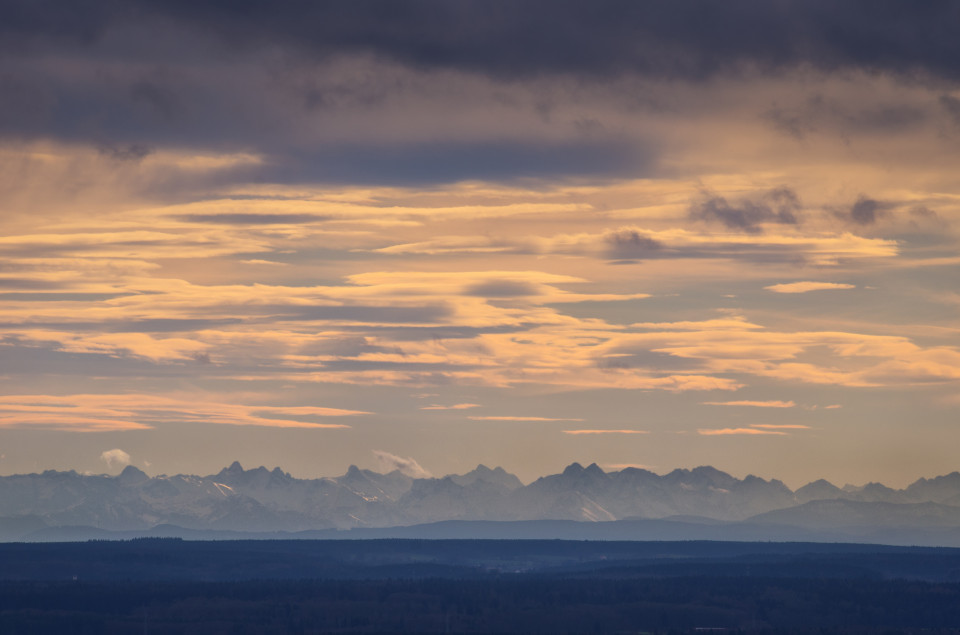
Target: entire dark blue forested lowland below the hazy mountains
[[475, 586]]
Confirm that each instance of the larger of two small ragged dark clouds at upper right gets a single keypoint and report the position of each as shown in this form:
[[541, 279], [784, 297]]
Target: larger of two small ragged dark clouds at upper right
[[779, 205]]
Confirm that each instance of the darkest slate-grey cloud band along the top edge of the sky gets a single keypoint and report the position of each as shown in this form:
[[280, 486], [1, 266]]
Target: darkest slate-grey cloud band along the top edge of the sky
[[511, 39]]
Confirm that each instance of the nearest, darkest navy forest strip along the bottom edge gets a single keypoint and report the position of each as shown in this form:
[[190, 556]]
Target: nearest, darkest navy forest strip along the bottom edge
[[525, 604]]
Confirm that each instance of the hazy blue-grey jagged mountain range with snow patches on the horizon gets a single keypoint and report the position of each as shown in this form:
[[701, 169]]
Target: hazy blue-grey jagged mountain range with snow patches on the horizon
[[262, 500]]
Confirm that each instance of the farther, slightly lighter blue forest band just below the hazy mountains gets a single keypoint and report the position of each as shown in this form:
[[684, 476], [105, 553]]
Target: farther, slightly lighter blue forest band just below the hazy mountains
[[165, 559]]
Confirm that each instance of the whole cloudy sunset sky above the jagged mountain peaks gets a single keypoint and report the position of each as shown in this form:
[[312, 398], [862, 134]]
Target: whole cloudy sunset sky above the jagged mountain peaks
[[427, 235]]
